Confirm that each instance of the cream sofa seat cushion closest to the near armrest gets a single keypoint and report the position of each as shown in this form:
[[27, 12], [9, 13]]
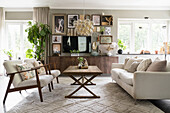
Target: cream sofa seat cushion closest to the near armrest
[[126, 77]]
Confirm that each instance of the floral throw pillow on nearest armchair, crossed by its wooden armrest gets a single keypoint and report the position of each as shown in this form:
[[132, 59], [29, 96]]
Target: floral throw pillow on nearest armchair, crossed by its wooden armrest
[[25, 75]]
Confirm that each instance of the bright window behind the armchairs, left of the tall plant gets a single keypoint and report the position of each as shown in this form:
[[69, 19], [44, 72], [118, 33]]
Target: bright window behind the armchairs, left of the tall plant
[[17, 38]]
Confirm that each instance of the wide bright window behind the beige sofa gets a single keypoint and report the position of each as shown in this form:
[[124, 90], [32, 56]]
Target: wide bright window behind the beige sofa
[[143, 34]]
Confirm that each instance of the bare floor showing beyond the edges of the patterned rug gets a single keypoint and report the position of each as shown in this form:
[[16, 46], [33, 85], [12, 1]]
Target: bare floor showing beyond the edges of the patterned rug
[[15, 97]]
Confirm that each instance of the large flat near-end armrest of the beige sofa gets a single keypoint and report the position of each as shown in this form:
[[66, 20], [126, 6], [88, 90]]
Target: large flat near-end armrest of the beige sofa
[[151, 85]]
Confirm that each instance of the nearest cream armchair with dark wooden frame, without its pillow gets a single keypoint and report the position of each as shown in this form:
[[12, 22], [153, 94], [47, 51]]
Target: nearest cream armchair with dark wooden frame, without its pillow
[[20, 84]]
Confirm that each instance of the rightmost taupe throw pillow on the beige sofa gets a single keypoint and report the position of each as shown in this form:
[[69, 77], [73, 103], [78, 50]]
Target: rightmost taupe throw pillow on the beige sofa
[[157, 66]]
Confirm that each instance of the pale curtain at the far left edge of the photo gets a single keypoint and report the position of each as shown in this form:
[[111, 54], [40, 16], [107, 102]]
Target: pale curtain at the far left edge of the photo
[[2, 39]]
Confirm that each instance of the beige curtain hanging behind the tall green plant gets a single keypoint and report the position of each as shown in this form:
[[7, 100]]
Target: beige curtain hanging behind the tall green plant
[[41, 14]]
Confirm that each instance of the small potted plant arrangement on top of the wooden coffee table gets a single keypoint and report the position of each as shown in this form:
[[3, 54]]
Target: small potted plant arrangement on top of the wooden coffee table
[[83, 64]]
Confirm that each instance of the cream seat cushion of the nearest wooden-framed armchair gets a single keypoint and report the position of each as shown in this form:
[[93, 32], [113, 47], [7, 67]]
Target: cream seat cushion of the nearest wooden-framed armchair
[[44, 80]]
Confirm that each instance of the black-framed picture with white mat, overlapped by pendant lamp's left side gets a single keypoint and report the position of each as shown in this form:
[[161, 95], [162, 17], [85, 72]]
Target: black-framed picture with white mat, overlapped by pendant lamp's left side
[[71, 19]]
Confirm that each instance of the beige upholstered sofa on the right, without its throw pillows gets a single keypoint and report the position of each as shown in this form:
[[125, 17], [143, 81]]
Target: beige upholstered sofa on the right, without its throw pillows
[[142, 84]]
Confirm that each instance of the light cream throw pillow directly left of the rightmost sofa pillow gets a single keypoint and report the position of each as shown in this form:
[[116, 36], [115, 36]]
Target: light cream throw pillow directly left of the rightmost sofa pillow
[[143, 66]]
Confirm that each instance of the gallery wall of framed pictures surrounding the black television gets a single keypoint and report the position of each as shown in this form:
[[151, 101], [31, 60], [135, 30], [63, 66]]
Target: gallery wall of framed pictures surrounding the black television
[[63, 25]]
